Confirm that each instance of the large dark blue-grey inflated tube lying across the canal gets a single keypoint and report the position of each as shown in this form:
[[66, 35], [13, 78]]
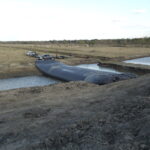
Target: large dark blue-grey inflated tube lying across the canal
[[73, 73]]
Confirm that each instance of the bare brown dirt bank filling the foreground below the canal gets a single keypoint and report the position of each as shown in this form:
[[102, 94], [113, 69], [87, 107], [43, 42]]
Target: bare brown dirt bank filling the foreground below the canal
[[77, 116]]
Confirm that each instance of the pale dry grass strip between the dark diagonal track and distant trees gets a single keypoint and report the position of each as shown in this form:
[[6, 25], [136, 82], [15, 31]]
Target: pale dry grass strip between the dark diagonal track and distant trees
[[83, 51]]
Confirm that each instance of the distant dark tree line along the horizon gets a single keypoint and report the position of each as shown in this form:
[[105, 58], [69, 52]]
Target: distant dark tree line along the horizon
[[109, 42]]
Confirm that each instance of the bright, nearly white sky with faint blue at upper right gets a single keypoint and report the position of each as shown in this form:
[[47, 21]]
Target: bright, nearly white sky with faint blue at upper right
[[36, 20]]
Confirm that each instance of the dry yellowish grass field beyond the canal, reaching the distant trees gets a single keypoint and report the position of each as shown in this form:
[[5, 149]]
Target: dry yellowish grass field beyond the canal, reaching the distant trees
[[14, 62]]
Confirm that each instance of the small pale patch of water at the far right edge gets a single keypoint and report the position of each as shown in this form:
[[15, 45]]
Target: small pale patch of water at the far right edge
[[142, 61]]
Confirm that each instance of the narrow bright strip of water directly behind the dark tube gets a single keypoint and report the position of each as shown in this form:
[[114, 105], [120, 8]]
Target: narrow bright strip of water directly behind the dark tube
[[99, 68]]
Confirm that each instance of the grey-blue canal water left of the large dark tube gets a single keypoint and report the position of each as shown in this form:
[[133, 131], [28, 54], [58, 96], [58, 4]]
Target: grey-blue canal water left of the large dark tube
[[23, 82]]
